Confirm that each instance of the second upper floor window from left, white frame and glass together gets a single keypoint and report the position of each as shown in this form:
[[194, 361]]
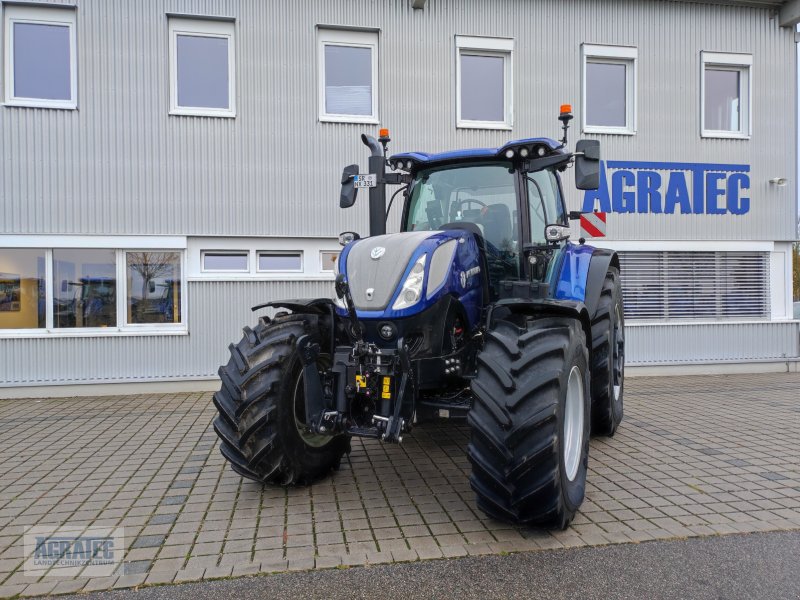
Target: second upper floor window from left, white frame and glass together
[[202, 74]]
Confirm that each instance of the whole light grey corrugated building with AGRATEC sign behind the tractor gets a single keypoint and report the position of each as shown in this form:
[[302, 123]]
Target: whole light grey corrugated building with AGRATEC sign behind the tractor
[[166, 165]]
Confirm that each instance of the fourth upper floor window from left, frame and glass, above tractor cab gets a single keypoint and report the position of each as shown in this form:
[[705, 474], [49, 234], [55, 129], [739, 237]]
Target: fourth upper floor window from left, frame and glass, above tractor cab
[[484, 92]]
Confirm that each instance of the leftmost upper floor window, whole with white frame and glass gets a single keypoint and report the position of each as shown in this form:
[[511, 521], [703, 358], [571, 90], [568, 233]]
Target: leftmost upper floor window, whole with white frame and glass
[[40, 58]]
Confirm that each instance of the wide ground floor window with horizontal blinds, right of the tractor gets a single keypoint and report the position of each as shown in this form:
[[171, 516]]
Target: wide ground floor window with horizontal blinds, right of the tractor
[[695, 285]]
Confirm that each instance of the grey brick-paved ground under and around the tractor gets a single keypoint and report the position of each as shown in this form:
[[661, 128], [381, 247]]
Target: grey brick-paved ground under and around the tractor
[[695, 456]]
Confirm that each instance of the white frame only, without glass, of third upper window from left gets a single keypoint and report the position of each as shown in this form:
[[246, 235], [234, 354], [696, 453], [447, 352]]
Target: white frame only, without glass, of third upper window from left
[[354, 38]]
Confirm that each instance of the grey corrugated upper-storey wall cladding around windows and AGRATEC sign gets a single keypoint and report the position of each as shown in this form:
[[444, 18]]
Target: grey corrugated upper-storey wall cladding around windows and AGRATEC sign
[[120, 164]]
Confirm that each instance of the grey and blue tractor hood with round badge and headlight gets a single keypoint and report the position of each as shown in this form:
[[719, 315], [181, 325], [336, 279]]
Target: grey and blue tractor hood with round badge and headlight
[[381, 270]]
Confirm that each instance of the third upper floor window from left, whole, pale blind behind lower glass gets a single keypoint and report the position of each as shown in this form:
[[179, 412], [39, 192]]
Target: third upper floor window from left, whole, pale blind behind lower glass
[[348, 70]]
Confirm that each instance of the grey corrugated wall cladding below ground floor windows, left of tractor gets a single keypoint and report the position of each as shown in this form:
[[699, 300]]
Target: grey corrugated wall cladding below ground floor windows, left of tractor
[[217, 311]]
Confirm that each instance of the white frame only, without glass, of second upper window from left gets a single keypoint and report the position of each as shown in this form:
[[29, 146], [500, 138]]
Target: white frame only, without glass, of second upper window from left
[[201, 27]]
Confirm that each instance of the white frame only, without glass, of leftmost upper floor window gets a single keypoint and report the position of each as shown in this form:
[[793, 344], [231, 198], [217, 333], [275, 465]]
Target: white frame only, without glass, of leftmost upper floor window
[[39, 15]]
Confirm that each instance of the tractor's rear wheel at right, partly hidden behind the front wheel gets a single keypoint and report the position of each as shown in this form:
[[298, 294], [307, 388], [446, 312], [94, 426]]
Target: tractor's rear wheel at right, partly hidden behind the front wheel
[[608, 357]]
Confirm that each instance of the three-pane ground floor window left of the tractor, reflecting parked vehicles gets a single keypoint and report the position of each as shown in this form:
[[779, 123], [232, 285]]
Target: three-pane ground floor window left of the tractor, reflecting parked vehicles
[[90, 290]]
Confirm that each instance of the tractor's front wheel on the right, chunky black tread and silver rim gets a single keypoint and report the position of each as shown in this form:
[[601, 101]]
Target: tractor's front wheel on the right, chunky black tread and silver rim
[[529, 443]]
